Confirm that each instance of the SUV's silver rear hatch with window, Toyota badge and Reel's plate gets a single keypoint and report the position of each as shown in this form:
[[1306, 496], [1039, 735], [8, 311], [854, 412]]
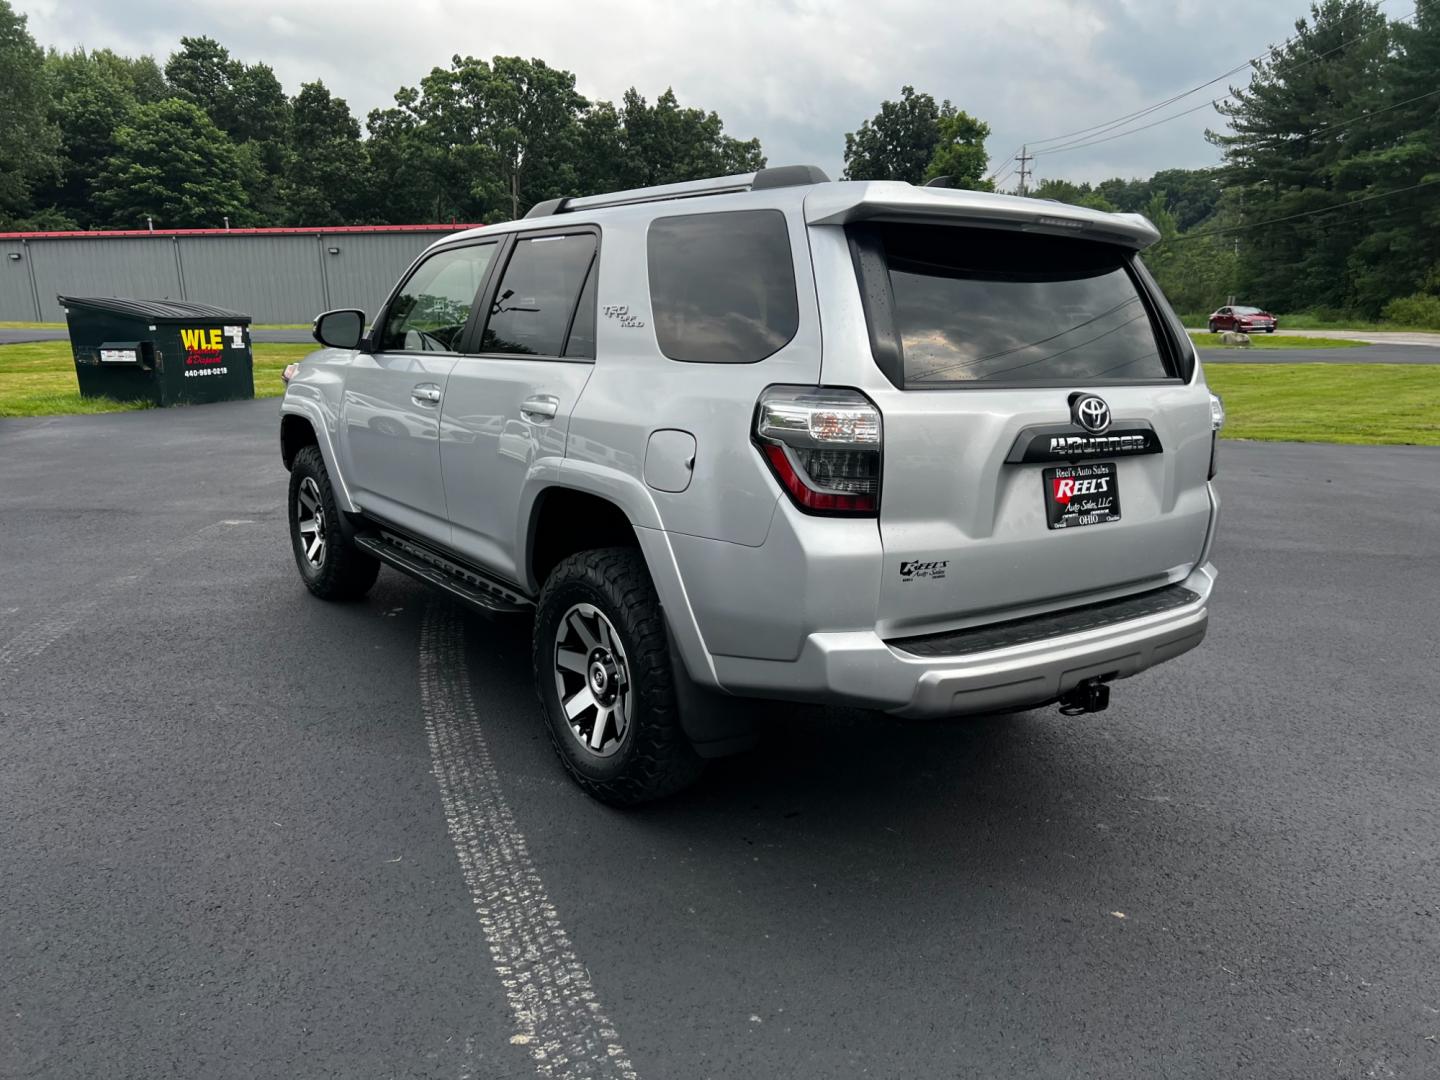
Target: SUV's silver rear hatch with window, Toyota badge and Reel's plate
[[1045, 441]]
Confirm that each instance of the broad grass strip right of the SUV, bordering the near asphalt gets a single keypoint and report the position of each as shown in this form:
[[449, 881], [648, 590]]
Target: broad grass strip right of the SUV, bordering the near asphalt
[[1356, 404]]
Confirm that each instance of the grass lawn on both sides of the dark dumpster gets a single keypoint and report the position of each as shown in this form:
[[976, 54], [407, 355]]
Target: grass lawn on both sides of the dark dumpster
[[38, 379]]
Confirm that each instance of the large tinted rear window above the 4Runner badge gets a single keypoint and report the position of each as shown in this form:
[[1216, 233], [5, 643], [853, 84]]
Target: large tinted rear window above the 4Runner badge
[[987, 306]]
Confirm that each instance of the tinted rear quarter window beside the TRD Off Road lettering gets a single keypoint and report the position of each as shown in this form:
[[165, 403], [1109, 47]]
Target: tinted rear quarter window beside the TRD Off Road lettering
[[722, 286]]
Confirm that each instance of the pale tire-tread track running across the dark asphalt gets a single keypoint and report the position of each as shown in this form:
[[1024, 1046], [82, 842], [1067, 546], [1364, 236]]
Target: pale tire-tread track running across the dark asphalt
[[552, 1002]]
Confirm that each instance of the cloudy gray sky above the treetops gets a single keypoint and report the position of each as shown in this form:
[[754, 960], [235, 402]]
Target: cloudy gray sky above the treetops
[[798, 74]]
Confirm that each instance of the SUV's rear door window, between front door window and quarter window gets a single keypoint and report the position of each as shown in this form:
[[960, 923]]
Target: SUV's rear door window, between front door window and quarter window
[[538, 296]]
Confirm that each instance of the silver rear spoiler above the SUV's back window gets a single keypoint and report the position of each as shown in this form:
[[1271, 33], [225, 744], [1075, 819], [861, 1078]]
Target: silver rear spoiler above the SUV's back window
[[891, 201]]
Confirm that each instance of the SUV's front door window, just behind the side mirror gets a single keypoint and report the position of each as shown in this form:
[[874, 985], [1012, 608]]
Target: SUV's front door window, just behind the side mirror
[[431, 310]]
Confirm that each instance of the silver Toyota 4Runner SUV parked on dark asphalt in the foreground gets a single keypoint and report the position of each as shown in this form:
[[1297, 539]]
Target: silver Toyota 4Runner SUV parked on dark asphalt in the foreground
[[768, 437]]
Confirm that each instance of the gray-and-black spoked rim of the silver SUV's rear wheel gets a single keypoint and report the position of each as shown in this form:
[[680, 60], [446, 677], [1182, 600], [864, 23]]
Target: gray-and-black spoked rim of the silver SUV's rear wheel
[[593, 679]]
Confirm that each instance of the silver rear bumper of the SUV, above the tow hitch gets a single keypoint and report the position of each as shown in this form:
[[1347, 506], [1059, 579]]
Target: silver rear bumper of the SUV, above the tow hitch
[[860, 669]]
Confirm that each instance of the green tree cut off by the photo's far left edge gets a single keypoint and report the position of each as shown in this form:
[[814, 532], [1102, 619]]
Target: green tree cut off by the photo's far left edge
[[30, 139]]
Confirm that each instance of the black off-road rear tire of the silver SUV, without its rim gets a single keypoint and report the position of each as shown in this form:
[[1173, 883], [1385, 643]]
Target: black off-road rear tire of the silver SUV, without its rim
[[654, 757]]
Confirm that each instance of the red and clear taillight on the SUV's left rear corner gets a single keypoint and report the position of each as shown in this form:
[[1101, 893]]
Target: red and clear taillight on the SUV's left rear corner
[[823, 446]]
